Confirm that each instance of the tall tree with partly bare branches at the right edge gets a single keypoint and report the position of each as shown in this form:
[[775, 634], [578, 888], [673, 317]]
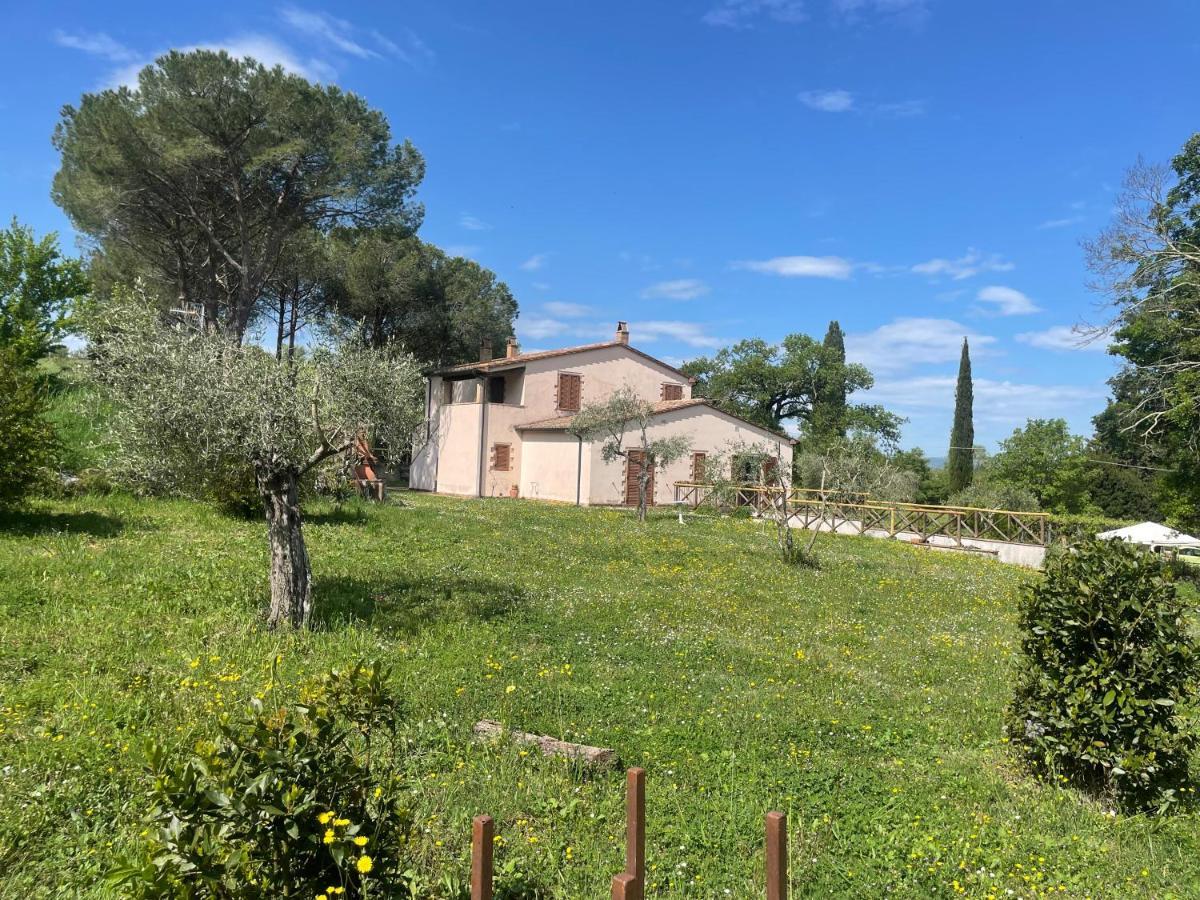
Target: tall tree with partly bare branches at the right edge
[[1148, 263]]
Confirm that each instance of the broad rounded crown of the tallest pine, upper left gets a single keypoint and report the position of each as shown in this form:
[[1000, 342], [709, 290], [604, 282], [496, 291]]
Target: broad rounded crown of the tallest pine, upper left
[[205, 176]]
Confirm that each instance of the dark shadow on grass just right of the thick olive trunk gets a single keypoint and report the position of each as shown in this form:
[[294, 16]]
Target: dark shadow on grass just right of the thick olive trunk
[[406, 605]]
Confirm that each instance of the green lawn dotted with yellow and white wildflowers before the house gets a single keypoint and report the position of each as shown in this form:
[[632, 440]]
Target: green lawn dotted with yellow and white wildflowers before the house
[[863, 698]]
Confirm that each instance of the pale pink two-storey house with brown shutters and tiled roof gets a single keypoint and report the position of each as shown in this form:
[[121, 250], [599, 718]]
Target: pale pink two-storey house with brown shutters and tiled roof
[[502, 427]]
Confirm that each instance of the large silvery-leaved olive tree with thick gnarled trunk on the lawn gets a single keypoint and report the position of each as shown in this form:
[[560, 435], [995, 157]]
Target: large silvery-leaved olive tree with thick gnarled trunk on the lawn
[[193, 405]]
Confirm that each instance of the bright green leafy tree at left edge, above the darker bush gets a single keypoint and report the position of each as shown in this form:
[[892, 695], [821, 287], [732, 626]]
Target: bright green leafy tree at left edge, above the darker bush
[[38, 289]]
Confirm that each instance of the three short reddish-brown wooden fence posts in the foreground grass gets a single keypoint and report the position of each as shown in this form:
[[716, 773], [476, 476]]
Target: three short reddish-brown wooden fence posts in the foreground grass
[[631, 884]]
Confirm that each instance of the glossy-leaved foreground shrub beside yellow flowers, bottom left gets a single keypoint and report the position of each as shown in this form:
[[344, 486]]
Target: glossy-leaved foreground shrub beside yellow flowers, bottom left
[[287, 802]]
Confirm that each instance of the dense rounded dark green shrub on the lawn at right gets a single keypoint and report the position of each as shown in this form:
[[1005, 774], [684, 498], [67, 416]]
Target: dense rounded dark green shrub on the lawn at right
[[1107, 661]]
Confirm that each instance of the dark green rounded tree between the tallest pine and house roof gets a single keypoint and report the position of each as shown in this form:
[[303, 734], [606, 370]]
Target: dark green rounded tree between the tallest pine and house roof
[[398, 289]]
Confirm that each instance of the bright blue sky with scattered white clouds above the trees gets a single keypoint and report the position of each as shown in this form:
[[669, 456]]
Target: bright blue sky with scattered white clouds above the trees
[[717, 170]]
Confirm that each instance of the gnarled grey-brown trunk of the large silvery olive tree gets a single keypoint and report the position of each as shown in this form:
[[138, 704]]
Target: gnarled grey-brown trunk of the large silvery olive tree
[[291, 573]]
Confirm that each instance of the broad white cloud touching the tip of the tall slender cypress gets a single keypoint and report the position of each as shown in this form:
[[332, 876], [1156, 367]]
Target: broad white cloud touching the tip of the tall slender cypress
[[910, 343]]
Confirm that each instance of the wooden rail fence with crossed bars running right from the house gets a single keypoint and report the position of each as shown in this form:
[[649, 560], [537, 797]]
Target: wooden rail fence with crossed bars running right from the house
[[857, 514]]
